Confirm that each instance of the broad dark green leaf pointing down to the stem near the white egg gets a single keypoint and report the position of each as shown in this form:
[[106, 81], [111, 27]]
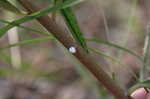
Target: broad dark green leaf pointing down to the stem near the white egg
[[73, 25]]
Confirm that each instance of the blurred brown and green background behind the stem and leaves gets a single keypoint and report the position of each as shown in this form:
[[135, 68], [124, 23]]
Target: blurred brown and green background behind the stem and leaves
[[46, 70]]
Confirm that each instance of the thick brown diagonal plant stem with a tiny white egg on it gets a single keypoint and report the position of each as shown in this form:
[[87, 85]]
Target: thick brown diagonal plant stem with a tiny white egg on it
[[86, 59]]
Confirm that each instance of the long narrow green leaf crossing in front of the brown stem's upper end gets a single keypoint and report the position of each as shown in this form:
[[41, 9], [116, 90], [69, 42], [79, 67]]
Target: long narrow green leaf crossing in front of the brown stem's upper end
[[35, 15]]
